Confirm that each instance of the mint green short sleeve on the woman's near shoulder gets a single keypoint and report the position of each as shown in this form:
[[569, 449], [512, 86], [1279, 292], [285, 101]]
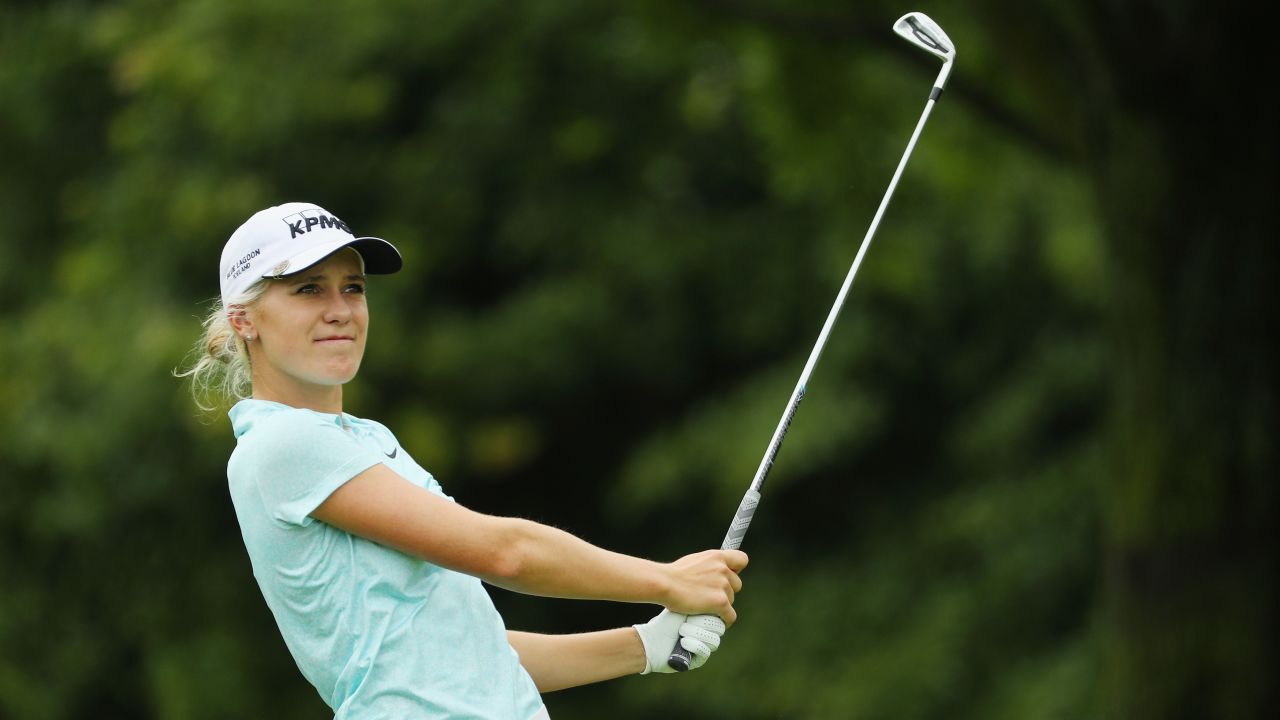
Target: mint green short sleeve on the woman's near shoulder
[[299, 459]]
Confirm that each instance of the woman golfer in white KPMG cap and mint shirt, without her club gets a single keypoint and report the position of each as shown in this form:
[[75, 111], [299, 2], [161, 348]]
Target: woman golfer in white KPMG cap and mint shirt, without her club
[[374, 575]]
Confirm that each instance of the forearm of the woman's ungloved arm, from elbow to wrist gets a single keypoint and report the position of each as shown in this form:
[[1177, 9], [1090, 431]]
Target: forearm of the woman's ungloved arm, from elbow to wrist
[[547, 562]]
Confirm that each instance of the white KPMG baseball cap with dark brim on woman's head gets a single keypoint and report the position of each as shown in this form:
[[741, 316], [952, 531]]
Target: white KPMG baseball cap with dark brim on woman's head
[[287, 239]]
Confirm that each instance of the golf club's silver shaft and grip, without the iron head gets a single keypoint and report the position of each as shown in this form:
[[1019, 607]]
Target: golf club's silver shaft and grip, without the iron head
[[680, 658]]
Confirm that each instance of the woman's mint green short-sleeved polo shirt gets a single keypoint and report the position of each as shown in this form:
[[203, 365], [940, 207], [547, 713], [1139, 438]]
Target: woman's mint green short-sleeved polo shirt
[[380, 634]]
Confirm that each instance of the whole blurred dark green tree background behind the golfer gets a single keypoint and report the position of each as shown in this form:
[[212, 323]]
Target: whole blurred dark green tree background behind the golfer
[[624, 226]]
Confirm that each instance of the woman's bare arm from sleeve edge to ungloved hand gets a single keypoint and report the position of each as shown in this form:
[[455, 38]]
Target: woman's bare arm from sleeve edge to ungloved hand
[[525, 557]]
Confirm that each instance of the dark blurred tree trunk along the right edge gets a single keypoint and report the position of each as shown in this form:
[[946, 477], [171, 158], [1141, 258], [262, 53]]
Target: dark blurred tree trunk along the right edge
[[1183, 174]]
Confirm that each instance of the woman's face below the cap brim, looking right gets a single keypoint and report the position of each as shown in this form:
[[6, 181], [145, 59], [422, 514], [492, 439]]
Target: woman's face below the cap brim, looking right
[[312, 327]]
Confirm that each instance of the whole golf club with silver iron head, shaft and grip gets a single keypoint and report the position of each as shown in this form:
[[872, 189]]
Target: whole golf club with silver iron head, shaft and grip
[[922, 33]]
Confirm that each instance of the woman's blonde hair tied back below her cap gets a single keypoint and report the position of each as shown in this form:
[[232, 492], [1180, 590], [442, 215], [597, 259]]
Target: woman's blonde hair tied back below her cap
[[222, 371]]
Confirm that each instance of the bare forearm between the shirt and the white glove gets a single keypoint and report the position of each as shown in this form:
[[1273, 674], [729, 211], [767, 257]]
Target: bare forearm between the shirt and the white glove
[[565, 662]]
